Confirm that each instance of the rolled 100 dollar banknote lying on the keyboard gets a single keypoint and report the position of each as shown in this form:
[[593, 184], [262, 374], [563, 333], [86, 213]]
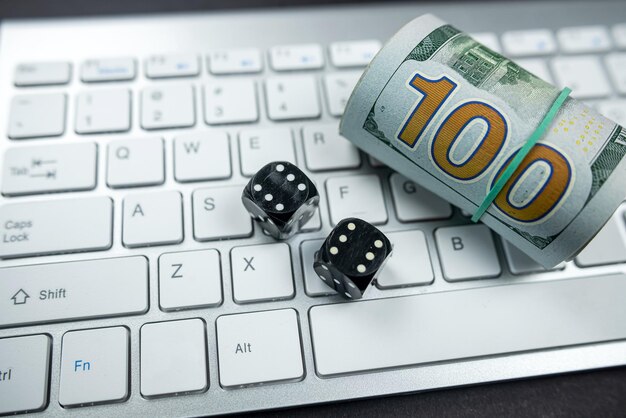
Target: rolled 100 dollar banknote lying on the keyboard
[[451, 114]]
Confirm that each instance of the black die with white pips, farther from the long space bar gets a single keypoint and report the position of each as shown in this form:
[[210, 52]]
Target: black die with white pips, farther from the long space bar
[[281, 198]]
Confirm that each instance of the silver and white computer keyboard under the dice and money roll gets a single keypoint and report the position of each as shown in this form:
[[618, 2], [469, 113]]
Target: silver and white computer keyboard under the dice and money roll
[[134, 283]]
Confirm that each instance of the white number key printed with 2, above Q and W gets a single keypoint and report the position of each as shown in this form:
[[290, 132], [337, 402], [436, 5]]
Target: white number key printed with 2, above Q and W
[[168, 106]]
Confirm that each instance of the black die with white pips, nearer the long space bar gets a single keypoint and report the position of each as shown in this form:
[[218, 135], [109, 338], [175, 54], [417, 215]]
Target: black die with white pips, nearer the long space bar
[[351, 257]]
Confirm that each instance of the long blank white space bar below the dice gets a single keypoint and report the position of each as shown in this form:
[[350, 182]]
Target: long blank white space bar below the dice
[[410, 330]]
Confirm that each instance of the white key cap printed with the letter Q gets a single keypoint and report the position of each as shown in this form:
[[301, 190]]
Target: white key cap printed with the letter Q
[[135, 162]]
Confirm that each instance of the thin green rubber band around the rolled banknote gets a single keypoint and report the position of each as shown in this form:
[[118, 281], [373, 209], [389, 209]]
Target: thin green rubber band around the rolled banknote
[[521, 154]]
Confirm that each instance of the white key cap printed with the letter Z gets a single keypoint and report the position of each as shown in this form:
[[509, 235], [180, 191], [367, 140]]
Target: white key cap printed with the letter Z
[[190, 279]]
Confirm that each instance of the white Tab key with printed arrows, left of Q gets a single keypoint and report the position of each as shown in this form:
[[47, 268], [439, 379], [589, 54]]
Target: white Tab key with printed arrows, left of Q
[[49, 168]]
